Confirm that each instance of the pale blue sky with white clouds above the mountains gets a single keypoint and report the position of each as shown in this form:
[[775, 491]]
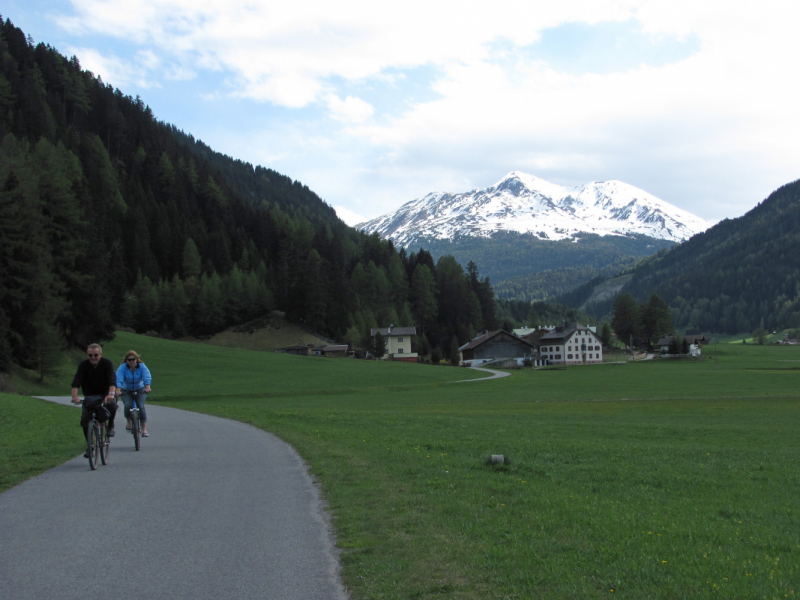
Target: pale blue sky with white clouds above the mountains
[[372, 104]]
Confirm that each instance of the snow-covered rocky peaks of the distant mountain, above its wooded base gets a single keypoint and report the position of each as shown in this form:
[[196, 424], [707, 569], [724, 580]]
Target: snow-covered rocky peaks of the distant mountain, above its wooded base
[[527, 204]]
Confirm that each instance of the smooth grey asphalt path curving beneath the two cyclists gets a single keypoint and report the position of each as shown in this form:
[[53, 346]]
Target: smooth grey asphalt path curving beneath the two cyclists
[[209, 508]]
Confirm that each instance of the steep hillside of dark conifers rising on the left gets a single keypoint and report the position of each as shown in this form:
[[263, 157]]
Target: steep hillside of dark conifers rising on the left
[[108, 216]]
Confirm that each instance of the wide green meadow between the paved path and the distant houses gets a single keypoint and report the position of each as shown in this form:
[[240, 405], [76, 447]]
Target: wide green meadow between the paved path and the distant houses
[[660, 479]]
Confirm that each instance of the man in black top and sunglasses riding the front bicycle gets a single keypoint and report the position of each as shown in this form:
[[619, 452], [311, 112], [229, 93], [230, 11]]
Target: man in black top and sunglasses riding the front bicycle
[[97, 378]]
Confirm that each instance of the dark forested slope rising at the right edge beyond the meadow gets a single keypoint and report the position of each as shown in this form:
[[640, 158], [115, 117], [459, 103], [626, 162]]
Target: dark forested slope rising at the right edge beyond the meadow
[[739, 275]]
